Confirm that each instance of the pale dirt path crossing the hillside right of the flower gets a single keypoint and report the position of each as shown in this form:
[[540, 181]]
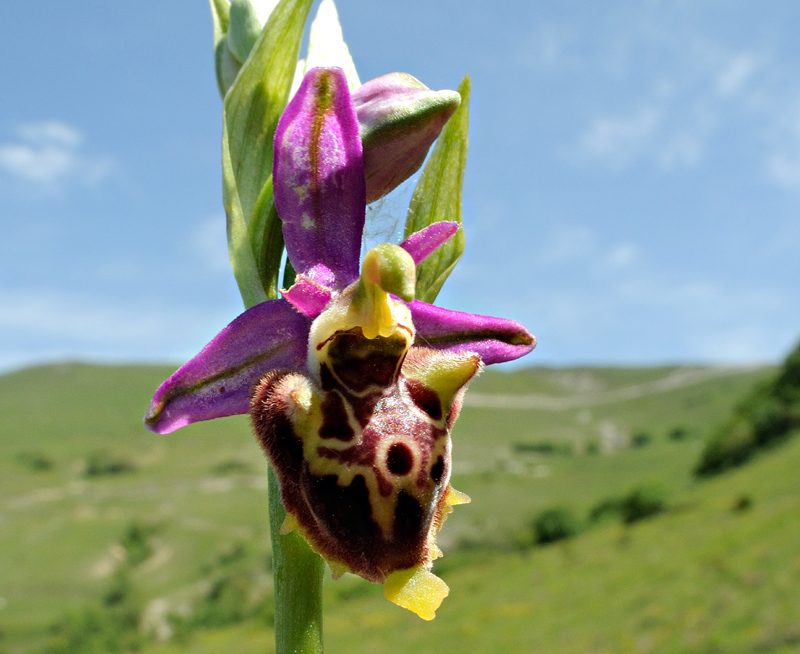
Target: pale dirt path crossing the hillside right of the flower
[[675, 380]]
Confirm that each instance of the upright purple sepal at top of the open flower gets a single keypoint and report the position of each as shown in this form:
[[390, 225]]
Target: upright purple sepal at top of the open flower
[[319, 176]]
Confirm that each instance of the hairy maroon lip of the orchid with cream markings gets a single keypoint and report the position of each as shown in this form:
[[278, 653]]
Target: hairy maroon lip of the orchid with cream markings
[[362, 447]]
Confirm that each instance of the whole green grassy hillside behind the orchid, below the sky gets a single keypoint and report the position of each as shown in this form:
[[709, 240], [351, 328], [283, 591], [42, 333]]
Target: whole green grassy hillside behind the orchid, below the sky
[[96, 512]]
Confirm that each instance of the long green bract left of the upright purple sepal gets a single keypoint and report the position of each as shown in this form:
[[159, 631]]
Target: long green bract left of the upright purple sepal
[[251, 111]]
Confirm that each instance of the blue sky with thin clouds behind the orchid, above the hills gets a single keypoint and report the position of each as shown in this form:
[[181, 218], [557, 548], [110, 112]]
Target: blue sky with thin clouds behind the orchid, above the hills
[[632, 192]]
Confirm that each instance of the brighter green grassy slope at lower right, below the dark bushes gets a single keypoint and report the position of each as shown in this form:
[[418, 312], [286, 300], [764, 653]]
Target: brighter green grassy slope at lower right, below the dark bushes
[[700, 579]]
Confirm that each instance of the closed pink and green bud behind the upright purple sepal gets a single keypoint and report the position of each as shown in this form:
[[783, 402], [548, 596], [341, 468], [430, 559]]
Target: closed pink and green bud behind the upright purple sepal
[[399, 118]]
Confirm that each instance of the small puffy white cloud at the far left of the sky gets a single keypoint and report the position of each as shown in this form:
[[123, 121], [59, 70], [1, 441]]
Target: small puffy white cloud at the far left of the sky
[[48, 155]]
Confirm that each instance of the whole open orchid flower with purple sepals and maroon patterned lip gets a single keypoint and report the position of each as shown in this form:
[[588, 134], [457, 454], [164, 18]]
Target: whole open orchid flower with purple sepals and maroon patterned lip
[[352, 385]]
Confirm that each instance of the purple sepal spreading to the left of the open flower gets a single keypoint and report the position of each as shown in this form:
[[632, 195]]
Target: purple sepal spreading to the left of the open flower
[[219, 380]]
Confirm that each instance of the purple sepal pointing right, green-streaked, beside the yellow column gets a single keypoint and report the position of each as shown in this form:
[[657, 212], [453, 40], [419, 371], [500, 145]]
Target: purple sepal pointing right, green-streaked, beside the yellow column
[[494, 339]]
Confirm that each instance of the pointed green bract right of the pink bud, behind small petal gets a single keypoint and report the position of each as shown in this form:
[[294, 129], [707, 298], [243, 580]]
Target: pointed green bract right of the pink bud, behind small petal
[[437, 197]]
